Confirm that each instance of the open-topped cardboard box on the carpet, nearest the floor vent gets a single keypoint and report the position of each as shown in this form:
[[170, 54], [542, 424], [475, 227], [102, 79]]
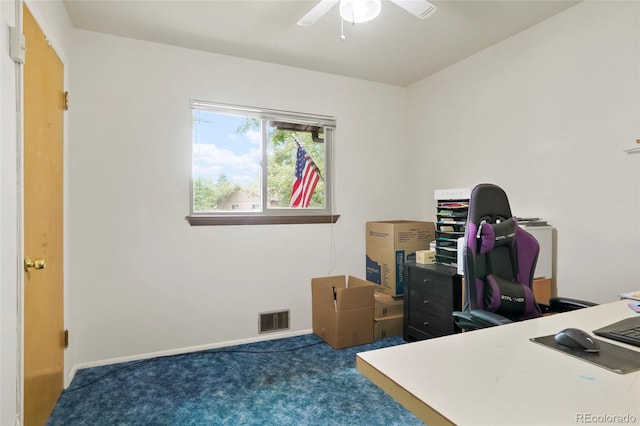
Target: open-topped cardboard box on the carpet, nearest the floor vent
[[342, 310]]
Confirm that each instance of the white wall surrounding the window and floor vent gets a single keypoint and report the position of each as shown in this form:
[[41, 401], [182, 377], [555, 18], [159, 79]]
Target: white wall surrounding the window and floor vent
[[142, 280]]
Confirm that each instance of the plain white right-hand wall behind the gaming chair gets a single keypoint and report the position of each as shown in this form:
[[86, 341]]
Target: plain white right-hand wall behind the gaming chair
[[546, 115]]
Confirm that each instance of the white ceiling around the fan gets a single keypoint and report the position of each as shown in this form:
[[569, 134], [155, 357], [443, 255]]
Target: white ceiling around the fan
[[396, 48]]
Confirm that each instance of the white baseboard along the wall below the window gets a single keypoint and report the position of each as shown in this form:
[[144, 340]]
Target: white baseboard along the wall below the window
[[180, 351]]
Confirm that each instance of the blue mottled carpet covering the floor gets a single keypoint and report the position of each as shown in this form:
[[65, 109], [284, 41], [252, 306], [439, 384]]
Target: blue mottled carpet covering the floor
[[292, 381]]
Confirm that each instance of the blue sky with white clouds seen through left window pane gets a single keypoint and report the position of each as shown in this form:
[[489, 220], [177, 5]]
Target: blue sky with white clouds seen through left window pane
[[218, 148]]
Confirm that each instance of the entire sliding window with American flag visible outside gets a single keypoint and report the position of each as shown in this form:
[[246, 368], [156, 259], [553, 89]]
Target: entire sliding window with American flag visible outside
[[255, 165]]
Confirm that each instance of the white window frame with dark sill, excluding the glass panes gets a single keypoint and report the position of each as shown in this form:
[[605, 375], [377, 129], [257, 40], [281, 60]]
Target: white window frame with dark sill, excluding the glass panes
[[268, 215]]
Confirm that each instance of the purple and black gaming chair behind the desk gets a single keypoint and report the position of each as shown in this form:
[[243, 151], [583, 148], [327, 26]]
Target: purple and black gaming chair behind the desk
[[499, 264]]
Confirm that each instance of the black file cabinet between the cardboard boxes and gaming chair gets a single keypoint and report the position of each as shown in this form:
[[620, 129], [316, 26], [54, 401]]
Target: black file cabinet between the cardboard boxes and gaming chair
[[432, 293]]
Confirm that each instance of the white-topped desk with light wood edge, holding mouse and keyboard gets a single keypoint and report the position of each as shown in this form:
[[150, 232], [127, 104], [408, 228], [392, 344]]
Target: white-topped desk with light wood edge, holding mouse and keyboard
[[496, 376]]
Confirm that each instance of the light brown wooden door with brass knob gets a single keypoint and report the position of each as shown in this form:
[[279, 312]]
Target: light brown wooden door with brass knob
[[42, 225]]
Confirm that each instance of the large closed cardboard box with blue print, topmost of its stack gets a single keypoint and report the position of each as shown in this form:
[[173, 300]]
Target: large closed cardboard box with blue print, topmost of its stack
[[389, 245]]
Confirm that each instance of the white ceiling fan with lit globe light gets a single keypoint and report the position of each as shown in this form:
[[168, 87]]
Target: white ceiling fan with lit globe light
[[357, 11]]
